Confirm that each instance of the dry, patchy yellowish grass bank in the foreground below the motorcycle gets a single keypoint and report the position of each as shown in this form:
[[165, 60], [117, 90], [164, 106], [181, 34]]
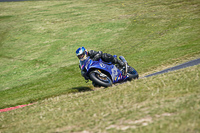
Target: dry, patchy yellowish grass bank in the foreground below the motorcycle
[[163, 103]]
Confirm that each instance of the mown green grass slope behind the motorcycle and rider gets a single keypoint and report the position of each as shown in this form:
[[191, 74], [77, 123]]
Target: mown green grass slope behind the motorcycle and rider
[[38, 40]]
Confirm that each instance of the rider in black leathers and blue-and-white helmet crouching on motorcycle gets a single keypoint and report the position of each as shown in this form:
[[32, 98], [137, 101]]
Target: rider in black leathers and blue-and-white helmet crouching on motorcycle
[[82, 54]]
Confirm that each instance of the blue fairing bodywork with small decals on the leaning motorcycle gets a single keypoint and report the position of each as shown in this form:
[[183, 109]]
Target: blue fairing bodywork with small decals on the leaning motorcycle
[[88, 65]]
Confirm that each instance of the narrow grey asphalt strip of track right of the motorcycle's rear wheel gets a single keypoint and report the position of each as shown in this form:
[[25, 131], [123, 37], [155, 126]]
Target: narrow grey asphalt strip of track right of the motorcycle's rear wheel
[[184, 65]]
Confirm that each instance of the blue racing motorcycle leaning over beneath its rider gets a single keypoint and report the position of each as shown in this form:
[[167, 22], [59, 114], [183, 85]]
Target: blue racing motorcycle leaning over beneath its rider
[[105, 73]]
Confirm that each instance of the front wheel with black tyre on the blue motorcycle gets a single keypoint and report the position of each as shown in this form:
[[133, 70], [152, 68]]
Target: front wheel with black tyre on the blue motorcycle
[[100, 79]]
